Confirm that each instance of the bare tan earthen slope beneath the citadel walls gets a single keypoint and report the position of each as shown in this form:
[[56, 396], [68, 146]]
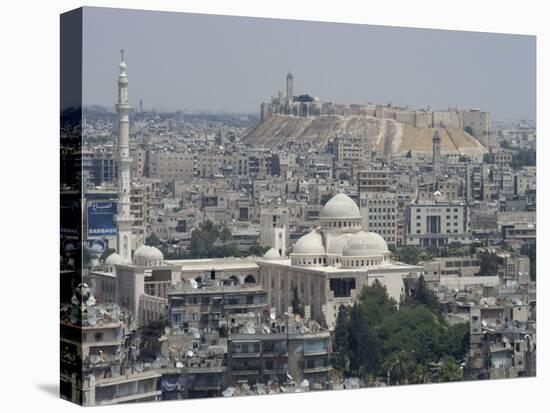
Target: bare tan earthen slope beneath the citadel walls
[[384, 134]]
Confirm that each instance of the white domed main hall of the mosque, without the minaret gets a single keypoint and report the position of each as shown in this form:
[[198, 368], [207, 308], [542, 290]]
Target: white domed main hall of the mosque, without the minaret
[[330, 265]]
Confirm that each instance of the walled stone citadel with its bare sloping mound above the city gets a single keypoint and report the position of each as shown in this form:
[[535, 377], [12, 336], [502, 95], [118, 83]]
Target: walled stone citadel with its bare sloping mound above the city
[[390, 129]]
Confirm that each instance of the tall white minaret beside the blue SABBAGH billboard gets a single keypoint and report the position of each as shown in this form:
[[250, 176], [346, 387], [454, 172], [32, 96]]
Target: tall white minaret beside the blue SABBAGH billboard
[[124, 219]]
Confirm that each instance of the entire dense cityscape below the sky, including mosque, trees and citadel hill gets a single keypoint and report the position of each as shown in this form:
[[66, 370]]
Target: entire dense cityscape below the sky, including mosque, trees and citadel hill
[[236, 254]]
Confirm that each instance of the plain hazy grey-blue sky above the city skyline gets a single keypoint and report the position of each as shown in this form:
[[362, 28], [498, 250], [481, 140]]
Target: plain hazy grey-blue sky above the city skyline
[[202, 62]]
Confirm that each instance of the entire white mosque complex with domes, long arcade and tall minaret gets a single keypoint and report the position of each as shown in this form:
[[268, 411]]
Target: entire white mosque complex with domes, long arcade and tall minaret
[[328, 267]]
